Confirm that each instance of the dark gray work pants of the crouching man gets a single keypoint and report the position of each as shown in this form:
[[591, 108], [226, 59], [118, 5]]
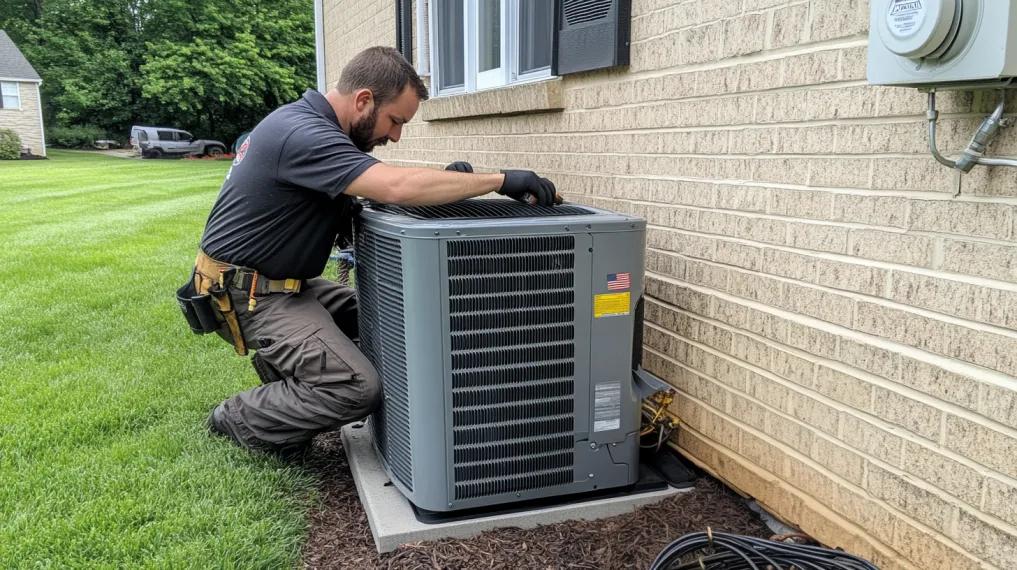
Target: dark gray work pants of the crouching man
[[327, 380]]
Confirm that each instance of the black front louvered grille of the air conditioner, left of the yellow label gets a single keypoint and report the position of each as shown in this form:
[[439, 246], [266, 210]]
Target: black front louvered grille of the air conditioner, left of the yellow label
[[512, 311]]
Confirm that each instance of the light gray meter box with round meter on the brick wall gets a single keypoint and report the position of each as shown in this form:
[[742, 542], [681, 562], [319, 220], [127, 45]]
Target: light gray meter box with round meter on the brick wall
[[943, 43]]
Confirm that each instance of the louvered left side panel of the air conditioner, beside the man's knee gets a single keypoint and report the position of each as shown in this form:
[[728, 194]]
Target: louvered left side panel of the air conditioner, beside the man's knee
[[380, 287]]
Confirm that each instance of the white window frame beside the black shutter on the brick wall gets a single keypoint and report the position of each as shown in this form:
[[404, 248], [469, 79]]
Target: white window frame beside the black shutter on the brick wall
[[507, 75]]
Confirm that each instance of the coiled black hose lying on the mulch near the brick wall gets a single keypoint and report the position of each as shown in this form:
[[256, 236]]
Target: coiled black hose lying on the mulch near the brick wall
[[721, 551]]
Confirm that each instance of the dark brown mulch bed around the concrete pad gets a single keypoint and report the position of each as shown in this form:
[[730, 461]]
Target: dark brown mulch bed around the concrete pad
[[340, 537]]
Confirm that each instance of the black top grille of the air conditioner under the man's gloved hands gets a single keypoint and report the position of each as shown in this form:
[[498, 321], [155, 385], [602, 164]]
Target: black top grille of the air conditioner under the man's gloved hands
[[483, 209]]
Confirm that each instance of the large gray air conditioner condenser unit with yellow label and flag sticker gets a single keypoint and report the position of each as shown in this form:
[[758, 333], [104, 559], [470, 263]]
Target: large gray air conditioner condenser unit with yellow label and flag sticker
[[506, 336]]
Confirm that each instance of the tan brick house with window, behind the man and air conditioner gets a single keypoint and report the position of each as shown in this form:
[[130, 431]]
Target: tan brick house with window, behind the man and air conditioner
[[840, 324]]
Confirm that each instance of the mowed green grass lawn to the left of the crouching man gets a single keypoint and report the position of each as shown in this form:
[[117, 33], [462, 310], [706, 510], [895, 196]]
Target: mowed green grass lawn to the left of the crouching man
[[104, 457]]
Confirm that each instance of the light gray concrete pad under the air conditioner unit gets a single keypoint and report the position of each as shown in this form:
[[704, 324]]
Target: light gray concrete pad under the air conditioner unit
[[393, 523]]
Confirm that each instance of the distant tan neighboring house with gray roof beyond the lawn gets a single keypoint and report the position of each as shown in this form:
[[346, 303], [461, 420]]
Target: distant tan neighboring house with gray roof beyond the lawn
[[21, 106]]
